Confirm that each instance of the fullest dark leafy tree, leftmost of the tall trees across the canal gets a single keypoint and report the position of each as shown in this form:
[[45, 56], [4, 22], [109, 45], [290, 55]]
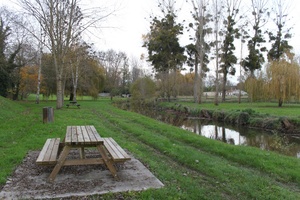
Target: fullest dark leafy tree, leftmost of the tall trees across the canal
[[164, 51]]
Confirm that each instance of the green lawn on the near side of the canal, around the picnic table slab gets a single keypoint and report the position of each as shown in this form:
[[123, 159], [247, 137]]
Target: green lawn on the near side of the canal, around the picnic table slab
[[190, 166]]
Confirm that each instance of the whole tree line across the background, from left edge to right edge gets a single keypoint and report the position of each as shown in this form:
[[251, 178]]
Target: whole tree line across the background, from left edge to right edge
[[49, 54]]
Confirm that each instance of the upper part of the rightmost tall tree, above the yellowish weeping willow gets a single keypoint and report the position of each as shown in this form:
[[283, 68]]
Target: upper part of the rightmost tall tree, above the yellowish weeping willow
[[280, 39]]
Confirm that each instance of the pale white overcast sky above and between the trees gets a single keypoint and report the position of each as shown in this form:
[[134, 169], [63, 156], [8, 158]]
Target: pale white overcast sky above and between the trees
[[132, 20]]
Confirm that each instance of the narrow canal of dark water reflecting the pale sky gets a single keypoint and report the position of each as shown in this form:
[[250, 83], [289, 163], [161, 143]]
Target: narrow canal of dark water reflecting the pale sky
[[268, 141]]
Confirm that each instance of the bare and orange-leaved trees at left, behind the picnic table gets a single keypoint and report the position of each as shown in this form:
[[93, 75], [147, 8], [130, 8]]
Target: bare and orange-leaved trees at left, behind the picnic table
[[51, 56]]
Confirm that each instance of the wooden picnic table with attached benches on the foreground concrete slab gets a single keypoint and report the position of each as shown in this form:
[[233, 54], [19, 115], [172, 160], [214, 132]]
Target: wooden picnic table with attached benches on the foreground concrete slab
[[55, 152]]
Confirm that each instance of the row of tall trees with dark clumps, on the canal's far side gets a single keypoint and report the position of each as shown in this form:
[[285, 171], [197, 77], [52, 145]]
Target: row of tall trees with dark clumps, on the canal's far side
[[216, 28]]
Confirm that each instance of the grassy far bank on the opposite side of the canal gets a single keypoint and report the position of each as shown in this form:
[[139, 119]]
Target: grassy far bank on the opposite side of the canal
[[267, 116]]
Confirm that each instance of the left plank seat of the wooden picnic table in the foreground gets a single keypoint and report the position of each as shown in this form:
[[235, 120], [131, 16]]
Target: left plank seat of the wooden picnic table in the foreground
[[48, 155]]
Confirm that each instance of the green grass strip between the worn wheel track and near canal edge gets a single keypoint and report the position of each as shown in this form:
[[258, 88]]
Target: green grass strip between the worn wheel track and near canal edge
[[281, 168]]
